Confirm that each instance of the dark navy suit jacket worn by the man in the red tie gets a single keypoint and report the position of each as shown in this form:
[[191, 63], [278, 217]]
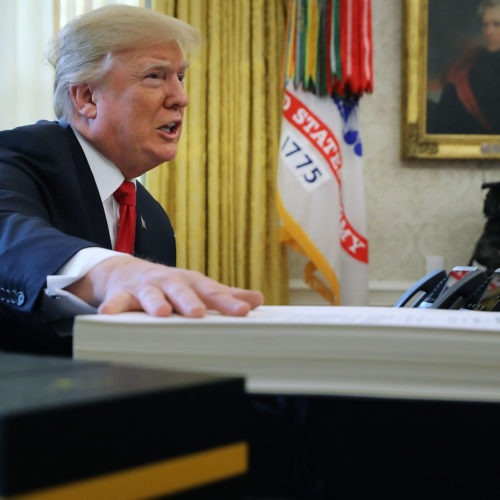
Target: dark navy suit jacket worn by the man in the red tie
[[49, 210]]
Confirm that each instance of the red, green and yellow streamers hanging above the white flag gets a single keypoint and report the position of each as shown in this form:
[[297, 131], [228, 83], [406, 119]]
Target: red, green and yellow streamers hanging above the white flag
[[329, 49]]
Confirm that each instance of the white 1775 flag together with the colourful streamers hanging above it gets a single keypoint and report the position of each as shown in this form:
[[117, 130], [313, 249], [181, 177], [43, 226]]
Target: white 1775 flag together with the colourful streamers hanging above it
[[327, 68]]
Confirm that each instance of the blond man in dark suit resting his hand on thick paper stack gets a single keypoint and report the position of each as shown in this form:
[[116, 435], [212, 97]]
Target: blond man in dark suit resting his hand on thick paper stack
[[119, 100]]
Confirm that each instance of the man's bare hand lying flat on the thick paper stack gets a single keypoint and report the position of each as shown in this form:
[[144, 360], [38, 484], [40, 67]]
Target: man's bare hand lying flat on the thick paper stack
[[126, 283]]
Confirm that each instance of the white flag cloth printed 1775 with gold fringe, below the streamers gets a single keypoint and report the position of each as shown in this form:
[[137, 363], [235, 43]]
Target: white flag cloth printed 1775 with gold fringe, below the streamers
[[321, 193]]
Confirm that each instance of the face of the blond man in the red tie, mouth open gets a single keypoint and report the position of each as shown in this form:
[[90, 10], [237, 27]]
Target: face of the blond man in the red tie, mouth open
[[140, 107]]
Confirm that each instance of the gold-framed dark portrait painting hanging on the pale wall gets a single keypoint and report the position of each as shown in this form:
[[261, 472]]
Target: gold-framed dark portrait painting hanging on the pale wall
[[451, 79]]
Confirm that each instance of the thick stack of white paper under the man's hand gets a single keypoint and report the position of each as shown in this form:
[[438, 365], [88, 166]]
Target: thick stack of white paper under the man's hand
[[365, 351]]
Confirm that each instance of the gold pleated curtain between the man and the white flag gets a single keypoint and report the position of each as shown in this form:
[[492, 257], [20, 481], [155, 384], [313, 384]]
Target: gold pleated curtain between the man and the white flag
[[220, 191]]
